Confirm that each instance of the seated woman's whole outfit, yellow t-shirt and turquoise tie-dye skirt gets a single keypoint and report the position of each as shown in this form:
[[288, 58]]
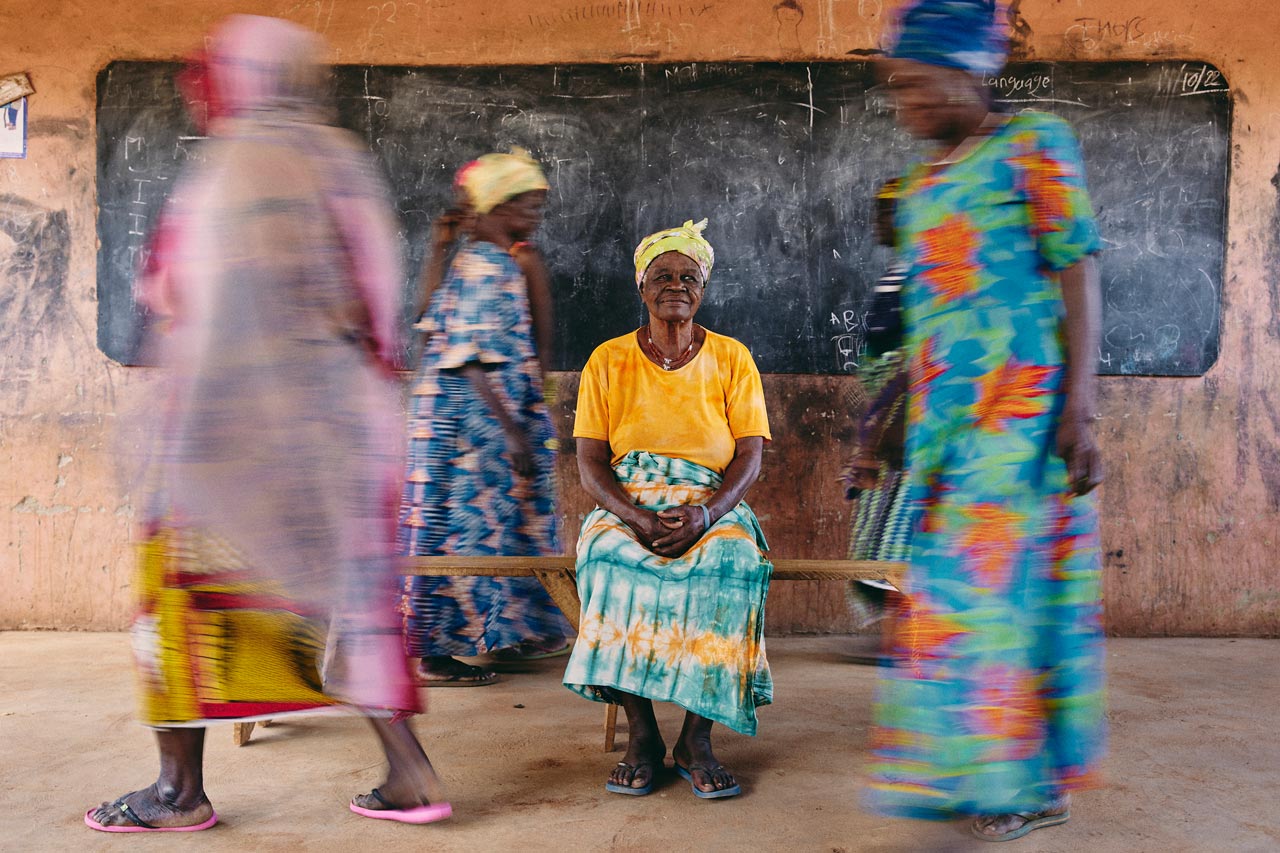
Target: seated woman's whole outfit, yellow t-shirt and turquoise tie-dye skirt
[[688, 630]]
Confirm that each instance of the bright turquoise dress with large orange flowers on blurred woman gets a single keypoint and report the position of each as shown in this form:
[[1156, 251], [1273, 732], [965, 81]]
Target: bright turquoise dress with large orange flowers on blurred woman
[[995, 704]]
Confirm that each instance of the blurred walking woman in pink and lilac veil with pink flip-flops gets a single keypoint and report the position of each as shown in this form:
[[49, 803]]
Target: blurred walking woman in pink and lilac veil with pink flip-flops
[[276, 445]]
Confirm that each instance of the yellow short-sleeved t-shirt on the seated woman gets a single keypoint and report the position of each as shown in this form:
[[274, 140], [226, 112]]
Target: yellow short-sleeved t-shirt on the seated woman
[[696, 413]]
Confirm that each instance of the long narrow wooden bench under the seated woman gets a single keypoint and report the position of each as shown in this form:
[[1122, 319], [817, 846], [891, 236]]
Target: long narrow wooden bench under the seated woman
[[557, 576]]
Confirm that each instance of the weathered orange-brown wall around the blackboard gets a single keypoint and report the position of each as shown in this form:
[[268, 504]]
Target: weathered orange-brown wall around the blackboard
[[1192, 500]]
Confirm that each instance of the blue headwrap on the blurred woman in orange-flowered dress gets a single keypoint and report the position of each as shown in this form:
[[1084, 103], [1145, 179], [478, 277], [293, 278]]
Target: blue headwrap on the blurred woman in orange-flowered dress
[[970, 35]]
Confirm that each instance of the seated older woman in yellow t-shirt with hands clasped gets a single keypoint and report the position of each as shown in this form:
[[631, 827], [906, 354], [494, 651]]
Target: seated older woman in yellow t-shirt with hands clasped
[[671, 571]]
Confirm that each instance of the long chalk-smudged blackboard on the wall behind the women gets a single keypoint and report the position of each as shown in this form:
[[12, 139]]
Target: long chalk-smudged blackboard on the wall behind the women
[[781, 158]]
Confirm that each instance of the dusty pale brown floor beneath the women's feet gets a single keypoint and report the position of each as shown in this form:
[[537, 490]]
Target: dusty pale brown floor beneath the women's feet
[[1195, 763]]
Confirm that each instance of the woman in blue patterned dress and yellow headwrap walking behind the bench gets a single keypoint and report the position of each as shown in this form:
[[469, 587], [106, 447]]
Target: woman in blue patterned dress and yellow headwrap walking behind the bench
[[482, 446]]
